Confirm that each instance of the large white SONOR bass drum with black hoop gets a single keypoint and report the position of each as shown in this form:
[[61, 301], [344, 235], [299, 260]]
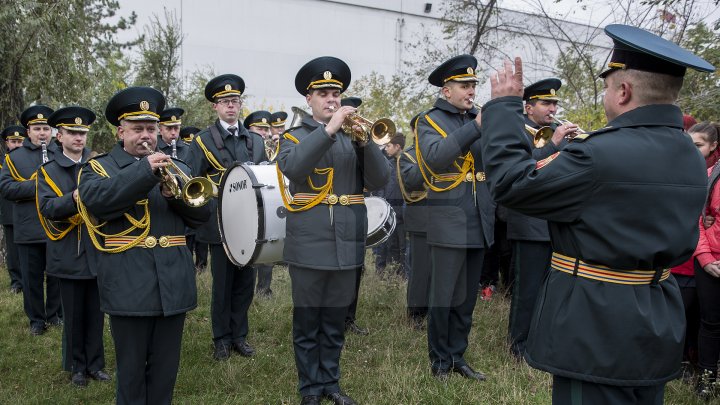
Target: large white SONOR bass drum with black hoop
[[251, 214]]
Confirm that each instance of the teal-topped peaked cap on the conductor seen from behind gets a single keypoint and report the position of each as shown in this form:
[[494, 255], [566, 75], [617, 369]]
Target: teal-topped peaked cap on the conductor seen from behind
[[637, 49]]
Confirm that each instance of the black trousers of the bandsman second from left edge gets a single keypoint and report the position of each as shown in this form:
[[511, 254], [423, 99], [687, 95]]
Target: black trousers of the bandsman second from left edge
[[38, 307]]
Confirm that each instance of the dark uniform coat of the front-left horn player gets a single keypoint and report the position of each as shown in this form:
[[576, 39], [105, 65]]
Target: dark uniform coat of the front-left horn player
[[140, 281]]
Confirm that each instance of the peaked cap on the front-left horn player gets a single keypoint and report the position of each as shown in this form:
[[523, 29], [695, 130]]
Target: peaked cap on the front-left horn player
[[135, 104]]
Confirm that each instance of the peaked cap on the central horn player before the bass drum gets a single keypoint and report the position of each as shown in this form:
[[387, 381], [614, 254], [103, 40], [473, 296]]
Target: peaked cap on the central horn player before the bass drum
[[325, 72]]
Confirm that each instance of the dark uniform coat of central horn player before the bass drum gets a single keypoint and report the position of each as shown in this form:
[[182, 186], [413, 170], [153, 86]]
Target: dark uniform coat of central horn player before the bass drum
[[323, 237]]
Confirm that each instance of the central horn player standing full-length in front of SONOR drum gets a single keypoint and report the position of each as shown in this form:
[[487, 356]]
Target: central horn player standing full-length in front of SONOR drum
[[326, 224]]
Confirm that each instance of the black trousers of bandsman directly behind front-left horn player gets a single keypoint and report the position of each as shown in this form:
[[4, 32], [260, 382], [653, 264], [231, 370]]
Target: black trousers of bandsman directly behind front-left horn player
[[83, 349]]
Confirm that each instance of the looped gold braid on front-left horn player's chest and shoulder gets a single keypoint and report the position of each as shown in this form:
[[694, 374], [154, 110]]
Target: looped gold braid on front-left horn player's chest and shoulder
[[94, 230]]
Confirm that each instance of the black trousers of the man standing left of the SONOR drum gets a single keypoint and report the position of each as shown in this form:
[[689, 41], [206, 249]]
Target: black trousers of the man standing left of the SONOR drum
[[232, 293]]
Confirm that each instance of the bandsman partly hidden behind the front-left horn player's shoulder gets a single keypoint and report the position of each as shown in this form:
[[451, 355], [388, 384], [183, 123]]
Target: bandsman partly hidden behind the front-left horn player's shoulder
[[68, 245]]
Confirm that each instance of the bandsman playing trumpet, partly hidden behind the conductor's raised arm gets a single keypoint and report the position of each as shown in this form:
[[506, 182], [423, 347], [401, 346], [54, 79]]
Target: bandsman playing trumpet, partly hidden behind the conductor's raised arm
[[530, 236]]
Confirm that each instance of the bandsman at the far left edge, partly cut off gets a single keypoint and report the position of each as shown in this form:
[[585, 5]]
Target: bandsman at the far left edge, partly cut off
[[13, 137]]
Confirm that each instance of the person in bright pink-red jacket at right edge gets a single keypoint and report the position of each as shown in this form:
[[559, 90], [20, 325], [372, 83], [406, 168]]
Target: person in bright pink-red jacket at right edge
[[707, 273]]
